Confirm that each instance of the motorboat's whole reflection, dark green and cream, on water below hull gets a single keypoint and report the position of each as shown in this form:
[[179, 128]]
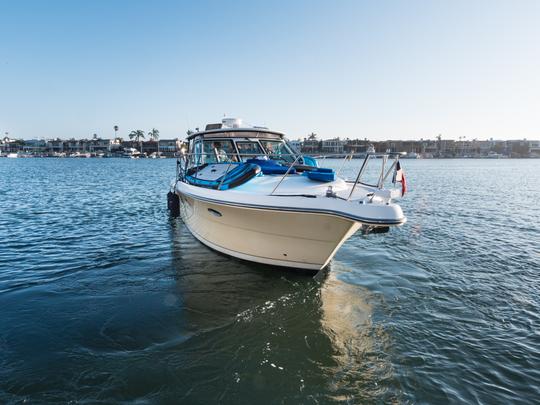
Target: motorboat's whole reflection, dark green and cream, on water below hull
[[251, 330]]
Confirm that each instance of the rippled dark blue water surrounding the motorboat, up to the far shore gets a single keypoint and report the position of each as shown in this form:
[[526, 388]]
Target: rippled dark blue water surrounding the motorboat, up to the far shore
[[104, 298]]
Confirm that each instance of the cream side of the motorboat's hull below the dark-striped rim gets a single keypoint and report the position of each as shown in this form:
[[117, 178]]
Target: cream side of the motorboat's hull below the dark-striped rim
[[303, 240]]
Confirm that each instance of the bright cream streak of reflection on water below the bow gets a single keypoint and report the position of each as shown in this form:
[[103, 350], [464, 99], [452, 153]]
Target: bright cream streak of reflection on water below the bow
[[360, 346]]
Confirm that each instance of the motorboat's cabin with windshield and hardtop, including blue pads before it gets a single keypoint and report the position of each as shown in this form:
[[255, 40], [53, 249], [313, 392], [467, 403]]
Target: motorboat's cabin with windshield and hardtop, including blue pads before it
[[226, 155]]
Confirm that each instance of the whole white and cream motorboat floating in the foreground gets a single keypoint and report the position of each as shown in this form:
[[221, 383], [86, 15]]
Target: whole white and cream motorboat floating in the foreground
[[243, 191]]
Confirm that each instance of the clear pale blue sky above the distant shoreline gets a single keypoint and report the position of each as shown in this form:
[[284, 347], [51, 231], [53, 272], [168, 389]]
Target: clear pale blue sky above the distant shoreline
[[379, 69]]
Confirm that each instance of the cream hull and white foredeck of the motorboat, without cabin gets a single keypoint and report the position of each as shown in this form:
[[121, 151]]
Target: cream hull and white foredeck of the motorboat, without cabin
[[289, 230]]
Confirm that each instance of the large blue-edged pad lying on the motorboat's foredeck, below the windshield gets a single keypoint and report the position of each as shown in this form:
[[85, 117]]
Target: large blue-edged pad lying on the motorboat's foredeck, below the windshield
[[237, 175]]
